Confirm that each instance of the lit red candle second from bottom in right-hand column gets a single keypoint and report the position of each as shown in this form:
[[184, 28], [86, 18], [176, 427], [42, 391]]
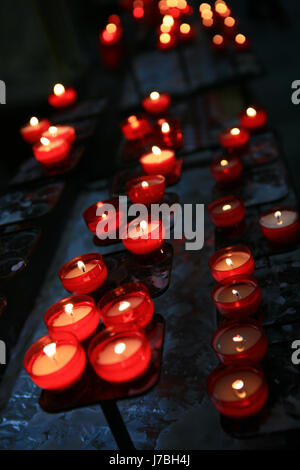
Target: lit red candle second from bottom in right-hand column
[[240, 343]]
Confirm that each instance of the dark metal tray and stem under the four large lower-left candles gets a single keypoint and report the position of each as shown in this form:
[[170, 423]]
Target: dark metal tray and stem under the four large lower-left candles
[[91, 390]]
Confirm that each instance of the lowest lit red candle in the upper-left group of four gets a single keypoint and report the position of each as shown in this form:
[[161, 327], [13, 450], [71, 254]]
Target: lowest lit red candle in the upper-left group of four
[[51, 153]]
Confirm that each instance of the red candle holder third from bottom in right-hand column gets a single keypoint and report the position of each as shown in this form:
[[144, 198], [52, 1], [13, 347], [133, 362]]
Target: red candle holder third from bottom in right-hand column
[[237, 298]]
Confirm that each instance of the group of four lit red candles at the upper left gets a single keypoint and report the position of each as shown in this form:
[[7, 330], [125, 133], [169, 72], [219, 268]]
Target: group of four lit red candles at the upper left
[[51, 144]]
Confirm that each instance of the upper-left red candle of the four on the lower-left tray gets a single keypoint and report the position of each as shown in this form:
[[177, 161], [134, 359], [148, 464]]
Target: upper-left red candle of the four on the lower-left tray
[[77, 315]]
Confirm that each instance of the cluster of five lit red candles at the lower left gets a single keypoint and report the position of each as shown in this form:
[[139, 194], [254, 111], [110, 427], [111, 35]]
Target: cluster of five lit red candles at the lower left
[[119, 353]]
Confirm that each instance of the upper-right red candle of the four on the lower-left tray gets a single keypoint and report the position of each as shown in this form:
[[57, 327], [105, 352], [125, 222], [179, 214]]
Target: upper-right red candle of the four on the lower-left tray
[[127, 304]]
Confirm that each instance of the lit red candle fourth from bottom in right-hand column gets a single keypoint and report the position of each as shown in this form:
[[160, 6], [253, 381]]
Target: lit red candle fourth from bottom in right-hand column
[[231, 261]]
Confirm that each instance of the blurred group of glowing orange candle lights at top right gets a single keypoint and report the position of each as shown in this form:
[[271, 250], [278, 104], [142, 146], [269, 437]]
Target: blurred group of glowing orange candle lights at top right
[[223, 25]]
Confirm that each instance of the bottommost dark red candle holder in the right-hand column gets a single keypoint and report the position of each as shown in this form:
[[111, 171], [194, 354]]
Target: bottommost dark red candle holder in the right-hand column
[[238, 391]]
